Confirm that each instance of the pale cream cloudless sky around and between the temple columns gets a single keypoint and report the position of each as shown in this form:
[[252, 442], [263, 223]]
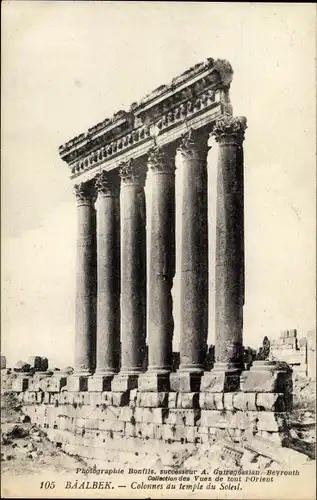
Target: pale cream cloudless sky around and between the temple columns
[[68, 65]]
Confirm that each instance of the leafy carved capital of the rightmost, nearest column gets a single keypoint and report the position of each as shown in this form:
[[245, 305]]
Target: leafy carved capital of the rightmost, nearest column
[[230, 129]]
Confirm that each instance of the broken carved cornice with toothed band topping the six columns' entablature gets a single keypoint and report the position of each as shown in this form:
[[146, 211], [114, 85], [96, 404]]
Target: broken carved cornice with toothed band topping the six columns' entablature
[[196, 90]]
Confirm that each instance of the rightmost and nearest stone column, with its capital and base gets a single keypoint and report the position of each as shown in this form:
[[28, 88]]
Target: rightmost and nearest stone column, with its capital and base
[[229, 133]]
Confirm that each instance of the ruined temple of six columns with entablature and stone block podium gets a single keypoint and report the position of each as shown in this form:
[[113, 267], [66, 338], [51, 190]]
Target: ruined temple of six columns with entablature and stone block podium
[[111, 401]]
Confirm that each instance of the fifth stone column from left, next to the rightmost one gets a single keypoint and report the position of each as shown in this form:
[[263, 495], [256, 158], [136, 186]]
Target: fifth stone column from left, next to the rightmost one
[[194, 263]]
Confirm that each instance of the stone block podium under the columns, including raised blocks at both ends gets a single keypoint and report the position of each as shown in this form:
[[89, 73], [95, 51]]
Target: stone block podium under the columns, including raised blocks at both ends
[[92, 423]]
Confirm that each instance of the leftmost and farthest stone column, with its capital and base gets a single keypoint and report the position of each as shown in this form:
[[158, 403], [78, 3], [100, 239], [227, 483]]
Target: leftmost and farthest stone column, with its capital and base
[[85, 319]]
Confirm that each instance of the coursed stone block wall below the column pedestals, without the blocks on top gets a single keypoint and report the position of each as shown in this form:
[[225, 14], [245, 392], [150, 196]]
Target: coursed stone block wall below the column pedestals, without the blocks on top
[[83, 422]]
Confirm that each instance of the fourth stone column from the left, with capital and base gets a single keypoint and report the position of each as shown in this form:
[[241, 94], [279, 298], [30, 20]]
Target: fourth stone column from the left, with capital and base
[[160, 324]]
